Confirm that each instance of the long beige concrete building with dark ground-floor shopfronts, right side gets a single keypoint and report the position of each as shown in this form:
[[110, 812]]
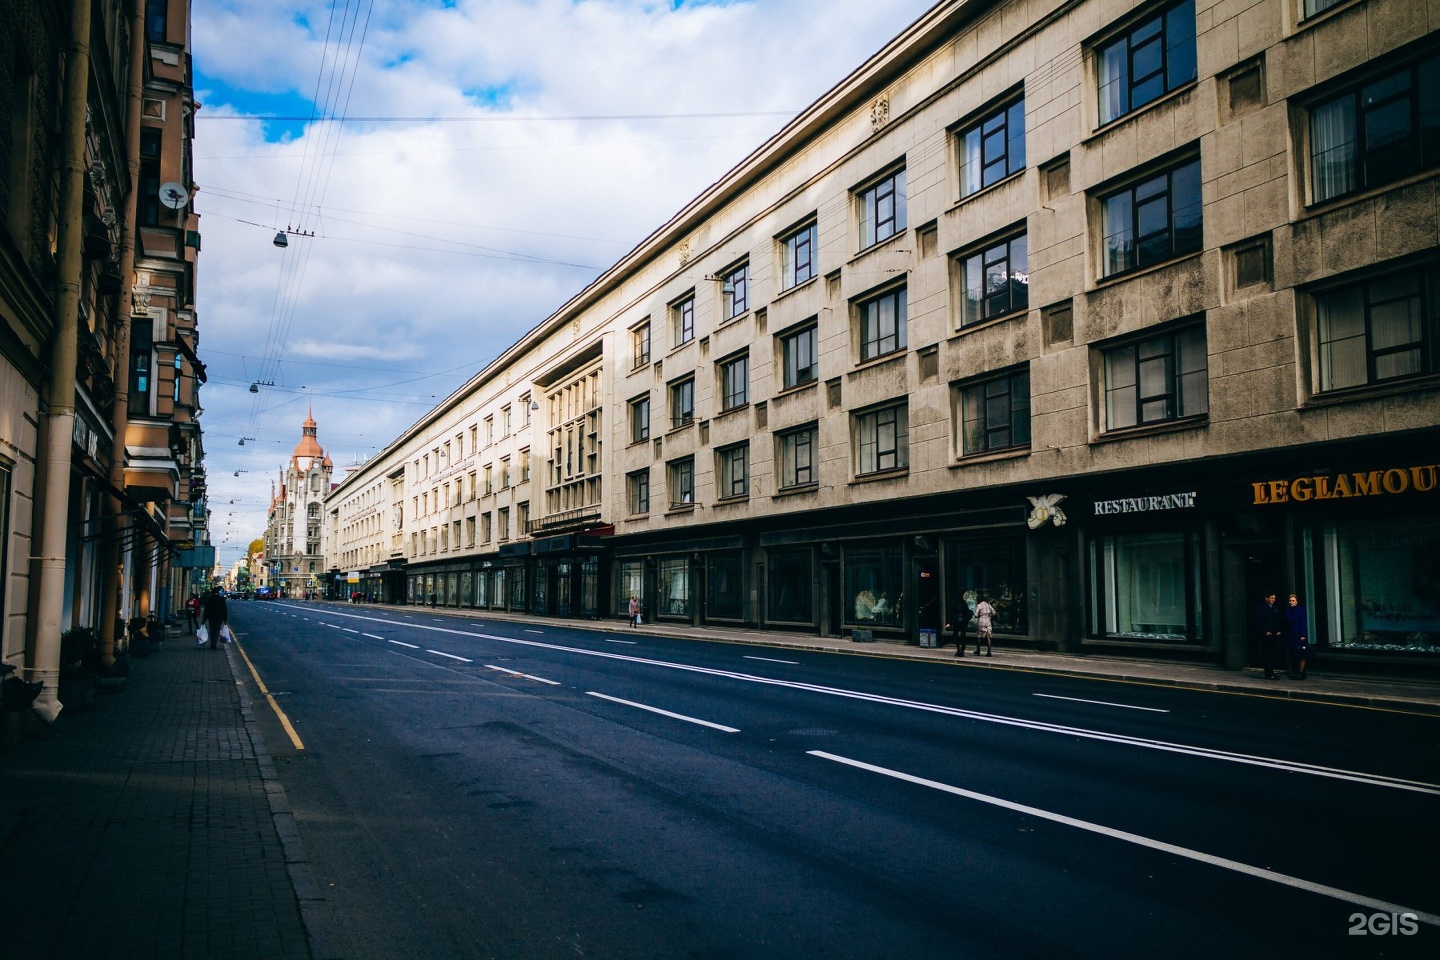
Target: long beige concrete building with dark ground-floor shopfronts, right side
[[1117, 314]]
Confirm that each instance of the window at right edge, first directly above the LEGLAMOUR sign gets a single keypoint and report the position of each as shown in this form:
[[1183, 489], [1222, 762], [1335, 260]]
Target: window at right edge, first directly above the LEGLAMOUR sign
[[1383, 329]]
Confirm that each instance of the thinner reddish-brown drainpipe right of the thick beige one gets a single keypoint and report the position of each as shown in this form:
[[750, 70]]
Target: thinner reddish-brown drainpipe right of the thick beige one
[[117, 522]]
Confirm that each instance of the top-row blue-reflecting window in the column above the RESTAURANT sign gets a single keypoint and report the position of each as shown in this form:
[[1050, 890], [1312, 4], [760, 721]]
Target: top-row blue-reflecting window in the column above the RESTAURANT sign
[[1151, 60]]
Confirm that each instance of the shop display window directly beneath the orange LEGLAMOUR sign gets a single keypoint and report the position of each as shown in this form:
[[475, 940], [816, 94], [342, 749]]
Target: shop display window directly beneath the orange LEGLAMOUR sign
[[1382, 585]]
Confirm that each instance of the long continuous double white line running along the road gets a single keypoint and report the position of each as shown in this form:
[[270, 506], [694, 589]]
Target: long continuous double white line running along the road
[[1288, 766]]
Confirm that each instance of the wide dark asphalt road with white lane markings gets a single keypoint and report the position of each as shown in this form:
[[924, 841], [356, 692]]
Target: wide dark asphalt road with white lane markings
[[486, 789]]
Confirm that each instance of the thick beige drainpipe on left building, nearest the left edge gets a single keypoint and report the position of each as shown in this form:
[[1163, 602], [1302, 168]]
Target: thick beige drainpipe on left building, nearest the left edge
[[60, 414]]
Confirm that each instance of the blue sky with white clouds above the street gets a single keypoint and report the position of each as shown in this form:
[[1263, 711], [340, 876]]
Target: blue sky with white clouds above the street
[[447, 175]]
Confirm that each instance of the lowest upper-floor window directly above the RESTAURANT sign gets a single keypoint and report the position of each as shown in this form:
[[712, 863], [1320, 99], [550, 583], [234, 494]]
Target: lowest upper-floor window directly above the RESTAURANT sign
[[1157, 379]]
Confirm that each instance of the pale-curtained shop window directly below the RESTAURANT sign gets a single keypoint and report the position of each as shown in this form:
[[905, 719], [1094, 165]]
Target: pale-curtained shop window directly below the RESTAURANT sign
[[1146, 587]]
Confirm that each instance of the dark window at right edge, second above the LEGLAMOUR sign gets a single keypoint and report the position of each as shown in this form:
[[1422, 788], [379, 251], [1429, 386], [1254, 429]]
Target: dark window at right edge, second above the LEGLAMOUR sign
[[1377, 133]]
